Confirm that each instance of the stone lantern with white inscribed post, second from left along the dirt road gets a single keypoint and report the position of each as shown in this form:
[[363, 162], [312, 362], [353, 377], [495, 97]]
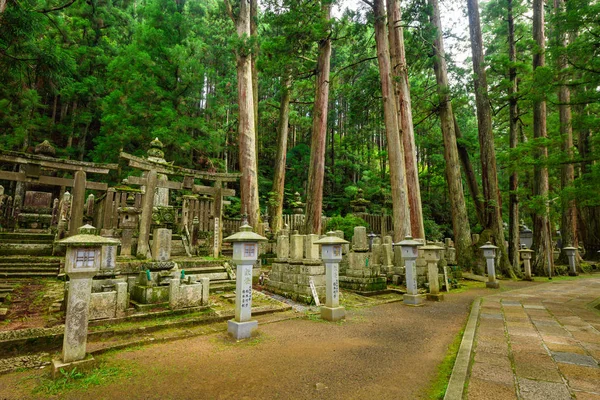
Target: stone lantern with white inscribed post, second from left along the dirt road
[[245, 254]]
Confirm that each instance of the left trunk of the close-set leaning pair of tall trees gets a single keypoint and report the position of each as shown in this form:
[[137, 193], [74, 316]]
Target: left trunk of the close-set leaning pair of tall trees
[[400, 206]]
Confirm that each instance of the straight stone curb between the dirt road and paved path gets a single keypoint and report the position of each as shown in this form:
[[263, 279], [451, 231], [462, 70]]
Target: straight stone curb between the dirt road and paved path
[[458, 378]]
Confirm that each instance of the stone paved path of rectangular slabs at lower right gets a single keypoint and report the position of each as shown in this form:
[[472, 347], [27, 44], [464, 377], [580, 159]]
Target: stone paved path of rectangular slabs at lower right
[[541, 342]]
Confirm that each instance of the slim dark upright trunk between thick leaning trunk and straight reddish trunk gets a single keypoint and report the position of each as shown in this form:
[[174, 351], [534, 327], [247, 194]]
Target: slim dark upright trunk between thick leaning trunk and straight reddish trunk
[[513, 111]]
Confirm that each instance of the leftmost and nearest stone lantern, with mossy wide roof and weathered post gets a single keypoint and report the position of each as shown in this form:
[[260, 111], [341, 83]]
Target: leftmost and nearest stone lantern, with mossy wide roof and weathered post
[[83, 259]]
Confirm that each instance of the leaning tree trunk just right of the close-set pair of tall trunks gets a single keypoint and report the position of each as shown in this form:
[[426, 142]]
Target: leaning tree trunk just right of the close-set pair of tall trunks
[[460, 220]]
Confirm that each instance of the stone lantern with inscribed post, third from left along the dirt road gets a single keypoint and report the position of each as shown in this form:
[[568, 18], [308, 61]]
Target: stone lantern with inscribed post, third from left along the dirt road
[[331, 253]]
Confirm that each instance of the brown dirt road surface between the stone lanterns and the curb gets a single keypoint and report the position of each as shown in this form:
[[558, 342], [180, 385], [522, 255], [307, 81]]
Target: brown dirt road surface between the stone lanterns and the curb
[[389, 351]]
